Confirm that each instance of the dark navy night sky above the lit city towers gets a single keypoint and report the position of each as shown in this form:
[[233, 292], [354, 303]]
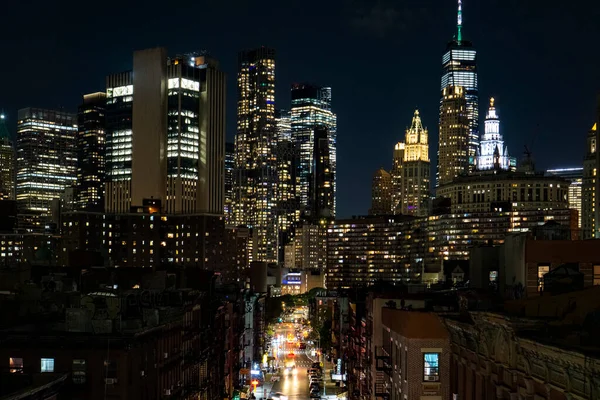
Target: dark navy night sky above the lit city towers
[[382, 58]]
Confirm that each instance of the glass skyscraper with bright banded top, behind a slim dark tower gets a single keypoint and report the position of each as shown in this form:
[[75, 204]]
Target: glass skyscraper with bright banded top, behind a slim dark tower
[[311, 109]]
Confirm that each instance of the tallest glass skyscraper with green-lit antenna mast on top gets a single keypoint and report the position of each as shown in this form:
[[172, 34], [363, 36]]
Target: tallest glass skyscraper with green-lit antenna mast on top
[[459, 68]]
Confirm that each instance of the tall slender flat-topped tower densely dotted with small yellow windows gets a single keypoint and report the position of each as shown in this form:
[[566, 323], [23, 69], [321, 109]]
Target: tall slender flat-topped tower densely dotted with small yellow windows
[[255, 185]]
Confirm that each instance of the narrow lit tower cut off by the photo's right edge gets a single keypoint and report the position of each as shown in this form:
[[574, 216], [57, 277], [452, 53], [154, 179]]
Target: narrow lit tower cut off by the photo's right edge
[[589, 203]]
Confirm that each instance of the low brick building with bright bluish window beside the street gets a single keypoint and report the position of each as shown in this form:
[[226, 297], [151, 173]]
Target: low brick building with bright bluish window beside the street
[[414, 359]]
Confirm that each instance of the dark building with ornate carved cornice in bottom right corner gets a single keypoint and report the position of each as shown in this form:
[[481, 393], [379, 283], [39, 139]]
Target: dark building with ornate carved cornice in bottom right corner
[[541, 348]]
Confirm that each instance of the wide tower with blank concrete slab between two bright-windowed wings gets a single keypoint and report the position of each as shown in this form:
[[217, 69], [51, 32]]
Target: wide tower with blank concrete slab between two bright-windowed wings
[[170, 111]]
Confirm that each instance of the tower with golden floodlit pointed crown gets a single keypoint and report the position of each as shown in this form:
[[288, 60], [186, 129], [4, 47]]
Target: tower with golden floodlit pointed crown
[[415, 169]]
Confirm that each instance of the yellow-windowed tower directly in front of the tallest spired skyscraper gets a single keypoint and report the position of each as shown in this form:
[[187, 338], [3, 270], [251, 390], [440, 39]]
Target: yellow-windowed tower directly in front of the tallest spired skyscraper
[[454, 147]]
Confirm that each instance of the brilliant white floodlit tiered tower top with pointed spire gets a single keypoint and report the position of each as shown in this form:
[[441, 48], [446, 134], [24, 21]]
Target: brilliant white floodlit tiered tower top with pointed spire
[[492, 154]]
